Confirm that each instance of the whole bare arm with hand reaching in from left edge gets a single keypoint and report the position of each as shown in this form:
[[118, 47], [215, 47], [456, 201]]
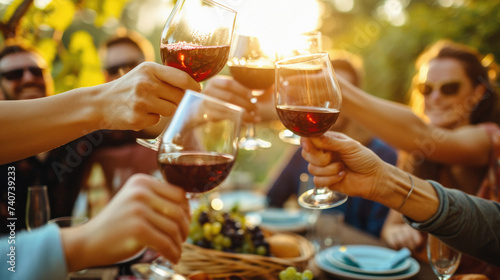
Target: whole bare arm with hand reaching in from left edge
[[132, 102]]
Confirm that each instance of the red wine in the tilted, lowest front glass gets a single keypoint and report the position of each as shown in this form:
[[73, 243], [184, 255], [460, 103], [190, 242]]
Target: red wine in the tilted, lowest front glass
[[195, 172]]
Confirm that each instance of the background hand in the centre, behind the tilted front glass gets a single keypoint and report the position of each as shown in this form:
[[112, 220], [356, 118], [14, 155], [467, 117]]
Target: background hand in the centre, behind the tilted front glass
[[229, 90]]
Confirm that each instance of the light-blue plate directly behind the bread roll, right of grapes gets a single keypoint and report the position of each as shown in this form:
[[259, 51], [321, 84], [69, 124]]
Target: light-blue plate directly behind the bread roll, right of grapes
[[278, 219]]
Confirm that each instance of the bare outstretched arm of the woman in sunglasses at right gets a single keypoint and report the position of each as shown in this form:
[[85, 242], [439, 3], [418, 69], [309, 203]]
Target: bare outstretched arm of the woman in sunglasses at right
[[397, 125]]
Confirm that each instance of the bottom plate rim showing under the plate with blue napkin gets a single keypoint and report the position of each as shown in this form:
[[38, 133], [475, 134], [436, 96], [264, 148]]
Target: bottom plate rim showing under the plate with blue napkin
[[323, 263]]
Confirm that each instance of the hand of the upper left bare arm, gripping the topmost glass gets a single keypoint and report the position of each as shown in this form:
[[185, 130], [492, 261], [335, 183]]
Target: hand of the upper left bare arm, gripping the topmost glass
[[137, 99]]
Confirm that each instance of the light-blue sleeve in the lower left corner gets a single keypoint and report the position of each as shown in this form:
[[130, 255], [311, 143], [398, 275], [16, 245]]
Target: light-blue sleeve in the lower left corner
[[33, 255]]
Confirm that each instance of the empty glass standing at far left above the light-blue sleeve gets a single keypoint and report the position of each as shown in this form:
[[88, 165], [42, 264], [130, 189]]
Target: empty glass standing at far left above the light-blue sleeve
[[37, 207]]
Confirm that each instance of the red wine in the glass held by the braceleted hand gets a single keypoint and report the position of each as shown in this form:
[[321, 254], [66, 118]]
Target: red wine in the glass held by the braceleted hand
[[307, 121]]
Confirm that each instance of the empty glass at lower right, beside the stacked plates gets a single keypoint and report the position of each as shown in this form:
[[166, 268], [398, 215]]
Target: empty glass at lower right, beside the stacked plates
[[443, 259]]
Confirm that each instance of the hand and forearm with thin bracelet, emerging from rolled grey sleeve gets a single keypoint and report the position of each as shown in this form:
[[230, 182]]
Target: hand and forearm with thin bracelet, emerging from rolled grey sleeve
[[374, 179]]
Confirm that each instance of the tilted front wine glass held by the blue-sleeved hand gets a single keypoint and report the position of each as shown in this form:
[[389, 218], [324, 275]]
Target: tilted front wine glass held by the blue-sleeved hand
[[199, 147]]
